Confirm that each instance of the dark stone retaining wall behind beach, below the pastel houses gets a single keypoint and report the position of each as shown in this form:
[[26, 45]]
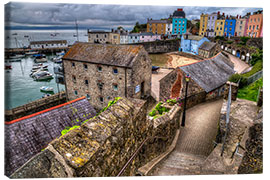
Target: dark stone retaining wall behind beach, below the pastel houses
[[161, 46]]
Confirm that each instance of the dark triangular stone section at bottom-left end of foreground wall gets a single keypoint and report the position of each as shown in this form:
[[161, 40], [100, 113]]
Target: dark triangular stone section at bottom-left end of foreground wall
[[43, 165]]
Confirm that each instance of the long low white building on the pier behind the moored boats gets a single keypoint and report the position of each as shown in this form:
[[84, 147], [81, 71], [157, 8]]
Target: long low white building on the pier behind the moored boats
[[48, 44]]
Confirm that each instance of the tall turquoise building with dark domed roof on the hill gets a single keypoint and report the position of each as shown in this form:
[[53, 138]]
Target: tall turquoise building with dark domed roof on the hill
[[179, 22]]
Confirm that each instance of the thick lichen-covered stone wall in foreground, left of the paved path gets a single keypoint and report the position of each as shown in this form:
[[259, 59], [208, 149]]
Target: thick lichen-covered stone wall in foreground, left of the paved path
[[104, 144]]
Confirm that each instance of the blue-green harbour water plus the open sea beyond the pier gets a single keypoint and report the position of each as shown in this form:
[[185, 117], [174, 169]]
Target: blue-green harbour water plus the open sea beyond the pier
[[20, 88]]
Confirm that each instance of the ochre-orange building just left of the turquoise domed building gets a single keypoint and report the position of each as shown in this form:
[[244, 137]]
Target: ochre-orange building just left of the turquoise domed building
[[157, 26]]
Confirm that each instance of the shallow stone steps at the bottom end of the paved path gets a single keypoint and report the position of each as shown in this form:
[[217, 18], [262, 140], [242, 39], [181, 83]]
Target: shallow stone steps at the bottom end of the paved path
[[180, 164]]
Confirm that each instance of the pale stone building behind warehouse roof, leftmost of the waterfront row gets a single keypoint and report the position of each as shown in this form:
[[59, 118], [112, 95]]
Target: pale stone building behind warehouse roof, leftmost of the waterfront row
[[103, 37]]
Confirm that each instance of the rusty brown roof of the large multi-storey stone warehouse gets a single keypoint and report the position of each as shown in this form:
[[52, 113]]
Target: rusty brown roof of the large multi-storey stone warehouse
[[106, 54]]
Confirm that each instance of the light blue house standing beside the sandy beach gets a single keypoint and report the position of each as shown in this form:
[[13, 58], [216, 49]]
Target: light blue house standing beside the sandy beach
[[191, 43]]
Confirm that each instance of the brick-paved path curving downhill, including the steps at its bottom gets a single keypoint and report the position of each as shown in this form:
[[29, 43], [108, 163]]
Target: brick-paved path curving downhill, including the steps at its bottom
[[195, 142]]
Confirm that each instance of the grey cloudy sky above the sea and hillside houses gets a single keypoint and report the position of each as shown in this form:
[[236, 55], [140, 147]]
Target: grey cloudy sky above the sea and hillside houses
[[99, 16]]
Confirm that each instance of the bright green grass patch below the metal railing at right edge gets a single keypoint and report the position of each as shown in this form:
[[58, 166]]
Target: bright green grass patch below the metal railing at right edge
[[251, 91]]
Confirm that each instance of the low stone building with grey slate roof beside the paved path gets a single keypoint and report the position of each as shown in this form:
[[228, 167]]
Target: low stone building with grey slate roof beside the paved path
[[207, 80]]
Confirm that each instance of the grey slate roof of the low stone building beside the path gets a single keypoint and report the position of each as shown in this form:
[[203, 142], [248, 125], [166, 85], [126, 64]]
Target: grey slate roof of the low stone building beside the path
[[210, 73]]
